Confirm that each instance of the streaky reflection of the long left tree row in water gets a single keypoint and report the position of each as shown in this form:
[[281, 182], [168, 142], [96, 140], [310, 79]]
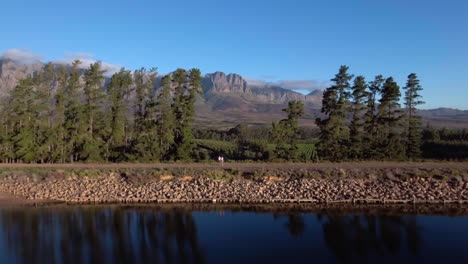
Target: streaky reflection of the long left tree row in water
[[99, 235]]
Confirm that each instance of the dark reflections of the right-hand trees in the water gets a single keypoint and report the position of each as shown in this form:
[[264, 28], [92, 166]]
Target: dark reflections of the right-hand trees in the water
[[358, 238]]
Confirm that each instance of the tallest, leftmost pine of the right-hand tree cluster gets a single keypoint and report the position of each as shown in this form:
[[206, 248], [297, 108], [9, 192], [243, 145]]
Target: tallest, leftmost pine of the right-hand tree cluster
[[334, 134]]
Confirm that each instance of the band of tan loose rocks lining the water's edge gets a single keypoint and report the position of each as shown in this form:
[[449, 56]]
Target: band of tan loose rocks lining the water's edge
[[119, 188]]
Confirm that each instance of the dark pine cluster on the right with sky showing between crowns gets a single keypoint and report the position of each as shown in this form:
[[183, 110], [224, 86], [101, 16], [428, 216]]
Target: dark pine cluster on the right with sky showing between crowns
[[364, 120]]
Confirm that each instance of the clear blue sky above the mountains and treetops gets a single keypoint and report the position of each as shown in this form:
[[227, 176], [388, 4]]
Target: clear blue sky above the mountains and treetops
[[293, 42]]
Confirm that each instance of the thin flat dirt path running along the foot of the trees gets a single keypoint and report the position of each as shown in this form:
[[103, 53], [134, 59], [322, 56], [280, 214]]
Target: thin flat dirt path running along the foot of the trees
[[344, 165]]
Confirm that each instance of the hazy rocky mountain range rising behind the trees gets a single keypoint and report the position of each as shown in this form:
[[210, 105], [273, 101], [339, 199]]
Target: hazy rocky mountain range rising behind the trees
[[229, 99]]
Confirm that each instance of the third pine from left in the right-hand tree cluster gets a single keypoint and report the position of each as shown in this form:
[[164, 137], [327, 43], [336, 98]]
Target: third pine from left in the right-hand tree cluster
[[370, 117]]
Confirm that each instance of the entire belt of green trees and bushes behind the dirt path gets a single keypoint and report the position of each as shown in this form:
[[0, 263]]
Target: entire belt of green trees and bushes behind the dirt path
[[67, 114]]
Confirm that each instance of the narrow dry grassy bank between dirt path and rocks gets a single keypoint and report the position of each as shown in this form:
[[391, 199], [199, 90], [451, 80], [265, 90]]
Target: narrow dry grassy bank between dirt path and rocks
[[140, 173]]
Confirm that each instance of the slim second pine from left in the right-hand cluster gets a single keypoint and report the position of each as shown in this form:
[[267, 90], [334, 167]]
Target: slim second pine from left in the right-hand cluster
[[356, 128]]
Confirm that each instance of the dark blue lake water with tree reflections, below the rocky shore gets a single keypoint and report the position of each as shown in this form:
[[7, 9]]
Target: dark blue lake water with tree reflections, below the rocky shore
[[145, 234]]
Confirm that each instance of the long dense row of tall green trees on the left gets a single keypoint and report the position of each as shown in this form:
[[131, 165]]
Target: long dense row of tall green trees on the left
[[65, 114]]
